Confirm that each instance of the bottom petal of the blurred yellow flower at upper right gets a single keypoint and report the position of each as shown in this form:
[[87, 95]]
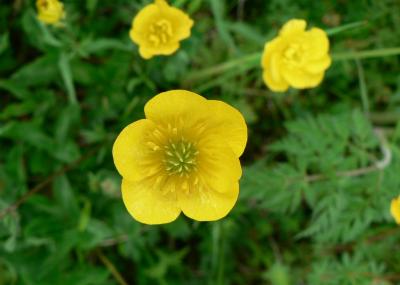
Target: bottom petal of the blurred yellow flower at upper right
[[300, 78]]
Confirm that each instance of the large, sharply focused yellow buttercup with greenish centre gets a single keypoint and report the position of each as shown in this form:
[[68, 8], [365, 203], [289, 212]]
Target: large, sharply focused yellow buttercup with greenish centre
[[183, 157]]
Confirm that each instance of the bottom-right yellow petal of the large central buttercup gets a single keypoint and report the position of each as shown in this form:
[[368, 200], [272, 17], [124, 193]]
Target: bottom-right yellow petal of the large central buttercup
[[206, 204]]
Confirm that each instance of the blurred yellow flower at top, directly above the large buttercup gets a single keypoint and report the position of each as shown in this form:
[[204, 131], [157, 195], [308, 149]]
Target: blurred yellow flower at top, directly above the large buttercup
[[158, 28]]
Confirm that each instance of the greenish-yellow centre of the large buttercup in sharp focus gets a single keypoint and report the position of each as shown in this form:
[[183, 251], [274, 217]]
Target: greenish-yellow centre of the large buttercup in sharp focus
[[180, 157]]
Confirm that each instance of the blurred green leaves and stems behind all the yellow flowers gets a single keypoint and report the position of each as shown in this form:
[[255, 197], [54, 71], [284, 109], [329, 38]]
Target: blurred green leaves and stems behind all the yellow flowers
[[320, 168]]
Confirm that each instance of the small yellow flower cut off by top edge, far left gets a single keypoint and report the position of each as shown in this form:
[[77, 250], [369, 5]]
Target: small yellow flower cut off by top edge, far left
[[50, 11]]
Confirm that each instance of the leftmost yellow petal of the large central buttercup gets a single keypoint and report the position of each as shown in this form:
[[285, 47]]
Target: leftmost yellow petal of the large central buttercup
[[129, 150]]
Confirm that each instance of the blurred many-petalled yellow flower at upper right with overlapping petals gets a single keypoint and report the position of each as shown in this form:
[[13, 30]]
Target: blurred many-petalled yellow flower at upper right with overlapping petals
[[296, 57]]
